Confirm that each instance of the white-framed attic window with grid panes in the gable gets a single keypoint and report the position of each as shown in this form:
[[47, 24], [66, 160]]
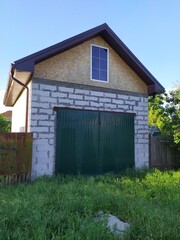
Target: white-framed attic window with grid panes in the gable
[[99, 63]]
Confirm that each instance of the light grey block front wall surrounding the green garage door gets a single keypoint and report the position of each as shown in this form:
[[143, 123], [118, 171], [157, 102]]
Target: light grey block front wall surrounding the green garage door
[[46, 94]]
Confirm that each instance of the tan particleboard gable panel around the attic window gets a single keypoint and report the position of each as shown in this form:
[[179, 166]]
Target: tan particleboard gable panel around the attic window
[[74, 66]]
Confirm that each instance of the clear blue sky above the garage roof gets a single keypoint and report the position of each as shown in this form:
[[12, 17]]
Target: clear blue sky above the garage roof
[[149, 28]]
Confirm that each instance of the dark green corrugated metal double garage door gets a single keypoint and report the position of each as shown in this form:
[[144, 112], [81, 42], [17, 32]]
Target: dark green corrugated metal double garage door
[[92, 142]]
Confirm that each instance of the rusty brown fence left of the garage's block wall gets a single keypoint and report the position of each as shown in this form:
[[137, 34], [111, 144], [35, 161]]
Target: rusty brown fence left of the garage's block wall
[[15, 157]]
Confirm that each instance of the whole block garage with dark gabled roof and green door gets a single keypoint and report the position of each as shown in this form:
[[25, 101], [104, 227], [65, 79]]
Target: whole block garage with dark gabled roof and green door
[[86, 102]]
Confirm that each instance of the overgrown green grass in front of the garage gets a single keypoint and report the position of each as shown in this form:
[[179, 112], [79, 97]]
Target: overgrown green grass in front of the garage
[[64, 207]]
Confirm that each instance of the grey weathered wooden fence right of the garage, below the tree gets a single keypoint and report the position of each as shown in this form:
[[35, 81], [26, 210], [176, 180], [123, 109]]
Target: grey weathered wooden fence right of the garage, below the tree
[[161, 156]]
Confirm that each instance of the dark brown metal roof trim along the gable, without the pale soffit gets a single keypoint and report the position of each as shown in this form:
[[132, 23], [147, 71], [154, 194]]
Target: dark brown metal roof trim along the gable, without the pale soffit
[[27, 64]]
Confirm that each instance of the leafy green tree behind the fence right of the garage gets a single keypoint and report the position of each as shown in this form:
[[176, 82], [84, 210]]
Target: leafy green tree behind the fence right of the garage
[[164, 112]]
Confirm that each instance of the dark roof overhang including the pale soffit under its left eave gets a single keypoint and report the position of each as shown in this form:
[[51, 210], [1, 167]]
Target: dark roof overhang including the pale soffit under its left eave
[[24, 68]]
